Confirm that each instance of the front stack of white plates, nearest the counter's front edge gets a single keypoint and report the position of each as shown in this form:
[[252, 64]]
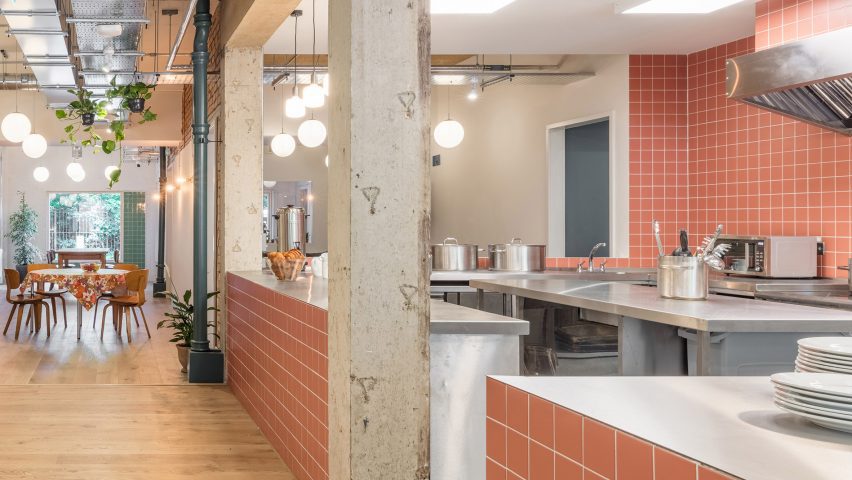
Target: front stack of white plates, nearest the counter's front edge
[[823, 398]]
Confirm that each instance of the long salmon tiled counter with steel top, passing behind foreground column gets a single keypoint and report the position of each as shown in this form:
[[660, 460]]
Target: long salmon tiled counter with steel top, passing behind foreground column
[[277, 359]]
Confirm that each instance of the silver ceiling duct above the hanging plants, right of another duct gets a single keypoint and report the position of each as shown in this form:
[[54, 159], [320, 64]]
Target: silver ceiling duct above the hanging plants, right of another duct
[[113, 28]]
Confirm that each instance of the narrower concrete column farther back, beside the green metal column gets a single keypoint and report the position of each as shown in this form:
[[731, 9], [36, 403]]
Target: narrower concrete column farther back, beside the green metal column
[[240, 185]]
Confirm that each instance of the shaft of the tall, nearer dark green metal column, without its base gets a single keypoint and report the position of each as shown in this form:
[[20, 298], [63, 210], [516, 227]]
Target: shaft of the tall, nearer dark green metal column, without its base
[[200, 128]]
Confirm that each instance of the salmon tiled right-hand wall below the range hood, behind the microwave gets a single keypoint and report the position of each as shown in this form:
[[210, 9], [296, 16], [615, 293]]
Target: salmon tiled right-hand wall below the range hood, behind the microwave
[[762, 173]]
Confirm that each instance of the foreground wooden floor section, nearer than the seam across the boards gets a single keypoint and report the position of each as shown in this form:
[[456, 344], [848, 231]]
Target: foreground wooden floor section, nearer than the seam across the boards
[[59, 432]]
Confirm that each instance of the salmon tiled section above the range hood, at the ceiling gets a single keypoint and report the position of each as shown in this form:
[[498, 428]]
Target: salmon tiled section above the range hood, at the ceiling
[[781, 21]]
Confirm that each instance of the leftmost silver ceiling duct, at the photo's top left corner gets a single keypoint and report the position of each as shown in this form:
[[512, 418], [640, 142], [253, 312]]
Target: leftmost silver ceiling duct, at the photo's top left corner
[[37, 27]]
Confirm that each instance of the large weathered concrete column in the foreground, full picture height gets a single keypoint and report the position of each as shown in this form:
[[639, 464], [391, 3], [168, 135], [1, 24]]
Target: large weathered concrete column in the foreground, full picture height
[[378, 235]]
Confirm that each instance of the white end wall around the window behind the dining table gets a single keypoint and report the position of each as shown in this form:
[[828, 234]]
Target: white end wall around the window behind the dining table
[[17, 175]]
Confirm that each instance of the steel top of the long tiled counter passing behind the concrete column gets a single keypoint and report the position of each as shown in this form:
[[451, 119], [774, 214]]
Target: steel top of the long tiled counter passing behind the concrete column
[[446, 318]]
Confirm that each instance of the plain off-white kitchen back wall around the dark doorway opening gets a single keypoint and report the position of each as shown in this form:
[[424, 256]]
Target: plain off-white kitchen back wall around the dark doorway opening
[[494, 186]]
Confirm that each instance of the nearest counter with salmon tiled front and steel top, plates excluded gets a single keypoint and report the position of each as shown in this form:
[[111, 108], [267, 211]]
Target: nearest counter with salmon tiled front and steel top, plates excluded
[[653, 428]]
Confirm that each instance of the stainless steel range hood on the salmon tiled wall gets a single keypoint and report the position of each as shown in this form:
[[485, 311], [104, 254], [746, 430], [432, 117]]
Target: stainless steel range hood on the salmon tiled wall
[[810, 80]]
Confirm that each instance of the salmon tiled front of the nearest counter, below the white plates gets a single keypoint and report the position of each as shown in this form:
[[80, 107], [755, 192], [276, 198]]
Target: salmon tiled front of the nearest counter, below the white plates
[[533, 439]]
